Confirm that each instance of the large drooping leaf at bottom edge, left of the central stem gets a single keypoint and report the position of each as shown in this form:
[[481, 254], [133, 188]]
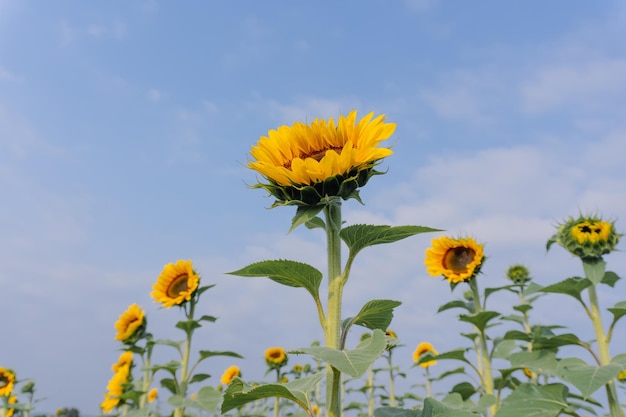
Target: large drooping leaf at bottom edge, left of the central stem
[[240, 393]]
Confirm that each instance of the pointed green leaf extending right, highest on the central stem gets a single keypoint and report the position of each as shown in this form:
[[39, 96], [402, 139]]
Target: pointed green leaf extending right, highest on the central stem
[[360, 236]]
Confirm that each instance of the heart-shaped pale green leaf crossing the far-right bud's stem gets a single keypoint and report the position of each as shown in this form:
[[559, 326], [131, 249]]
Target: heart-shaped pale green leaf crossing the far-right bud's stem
[[588, 379]]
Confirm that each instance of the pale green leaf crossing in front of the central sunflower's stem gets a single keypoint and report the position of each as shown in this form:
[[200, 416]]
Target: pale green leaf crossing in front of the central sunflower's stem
[[351, 362]]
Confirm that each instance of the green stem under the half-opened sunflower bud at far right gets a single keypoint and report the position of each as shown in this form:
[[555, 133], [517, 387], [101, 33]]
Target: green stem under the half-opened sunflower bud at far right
[[601, 337]]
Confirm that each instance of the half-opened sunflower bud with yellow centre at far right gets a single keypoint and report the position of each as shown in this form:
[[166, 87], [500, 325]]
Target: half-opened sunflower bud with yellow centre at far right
[[588, 237]]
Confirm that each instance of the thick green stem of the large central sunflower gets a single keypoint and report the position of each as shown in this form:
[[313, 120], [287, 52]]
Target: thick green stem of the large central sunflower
[[333, 320]]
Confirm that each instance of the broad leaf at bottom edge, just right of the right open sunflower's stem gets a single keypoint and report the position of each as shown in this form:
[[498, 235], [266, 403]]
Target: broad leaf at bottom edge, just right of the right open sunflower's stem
[[531, 400]]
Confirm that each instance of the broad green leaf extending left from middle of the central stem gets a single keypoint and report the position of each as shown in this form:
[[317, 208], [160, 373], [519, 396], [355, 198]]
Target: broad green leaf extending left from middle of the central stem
[[286, 272]]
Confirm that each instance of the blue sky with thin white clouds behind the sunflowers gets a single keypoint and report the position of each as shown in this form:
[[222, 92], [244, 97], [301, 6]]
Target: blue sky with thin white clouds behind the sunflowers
[[125, 128]]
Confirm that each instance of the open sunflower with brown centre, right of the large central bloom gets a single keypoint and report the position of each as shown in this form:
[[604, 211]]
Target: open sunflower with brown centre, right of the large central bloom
[[457, 260]]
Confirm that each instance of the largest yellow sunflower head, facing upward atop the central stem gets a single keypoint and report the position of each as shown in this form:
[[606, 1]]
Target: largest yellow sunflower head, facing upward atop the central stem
[[305, 163]]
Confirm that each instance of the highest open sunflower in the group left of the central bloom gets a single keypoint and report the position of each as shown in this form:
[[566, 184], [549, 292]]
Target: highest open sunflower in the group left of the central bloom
[[176, 285]]
